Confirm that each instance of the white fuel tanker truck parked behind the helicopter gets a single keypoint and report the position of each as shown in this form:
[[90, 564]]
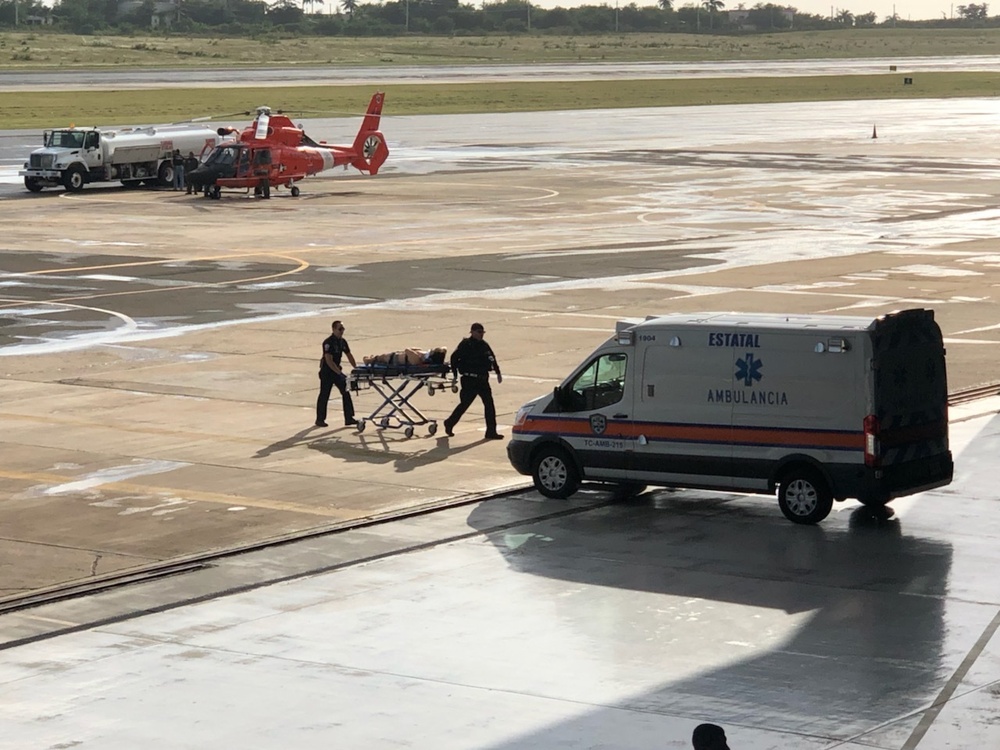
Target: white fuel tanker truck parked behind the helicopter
[[75, 156]]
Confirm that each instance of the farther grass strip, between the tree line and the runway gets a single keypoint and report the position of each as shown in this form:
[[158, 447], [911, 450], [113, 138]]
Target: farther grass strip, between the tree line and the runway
[[42, 50]]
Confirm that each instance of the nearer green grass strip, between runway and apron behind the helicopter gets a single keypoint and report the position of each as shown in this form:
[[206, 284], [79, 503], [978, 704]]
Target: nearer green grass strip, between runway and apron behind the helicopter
[[60, 109]]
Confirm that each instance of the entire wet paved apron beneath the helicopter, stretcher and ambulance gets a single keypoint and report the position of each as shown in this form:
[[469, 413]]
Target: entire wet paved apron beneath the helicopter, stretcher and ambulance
[[157, 374]]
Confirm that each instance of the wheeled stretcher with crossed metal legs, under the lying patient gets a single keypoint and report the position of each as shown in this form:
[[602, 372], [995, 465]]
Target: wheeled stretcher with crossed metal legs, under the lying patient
[[397, 384]]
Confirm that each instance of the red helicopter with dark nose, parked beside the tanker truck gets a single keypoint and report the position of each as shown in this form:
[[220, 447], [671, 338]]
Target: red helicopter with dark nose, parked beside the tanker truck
[[274, 152]]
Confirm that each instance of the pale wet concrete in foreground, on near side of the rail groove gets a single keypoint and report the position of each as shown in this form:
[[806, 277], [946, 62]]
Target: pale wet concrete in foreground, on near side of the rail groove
[[527, 623]]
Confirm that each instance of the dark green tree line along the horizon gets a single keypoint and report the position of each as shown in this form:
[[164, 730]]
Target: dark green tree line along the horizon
[[446, 17]]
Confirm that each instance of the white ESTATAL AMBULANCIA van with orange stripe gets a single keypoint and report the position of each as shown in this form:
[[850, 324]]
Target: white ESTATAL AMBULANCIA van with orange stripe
[[817, 407]]
